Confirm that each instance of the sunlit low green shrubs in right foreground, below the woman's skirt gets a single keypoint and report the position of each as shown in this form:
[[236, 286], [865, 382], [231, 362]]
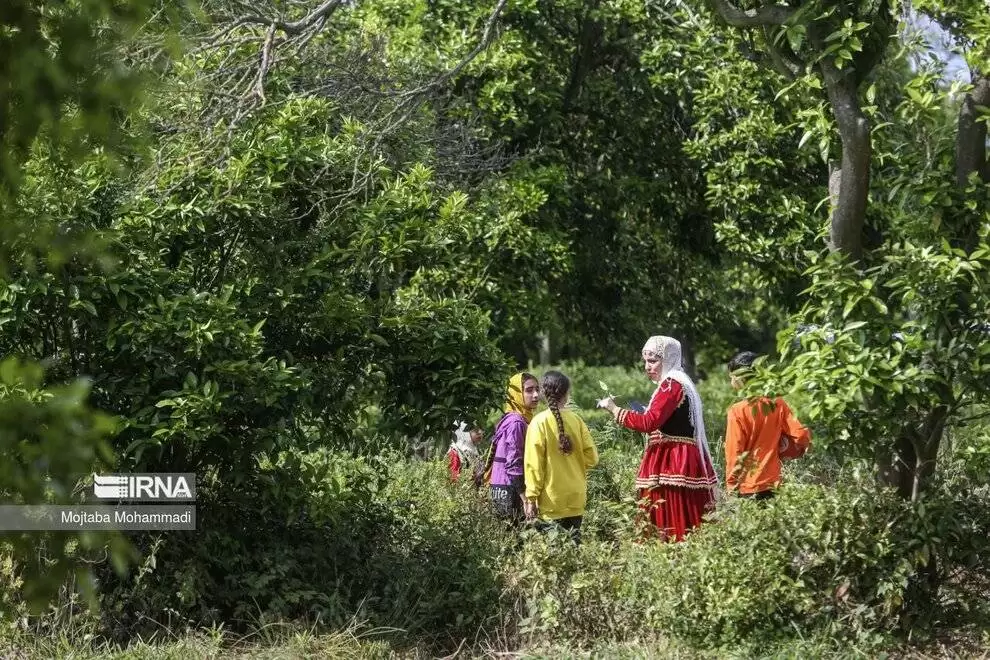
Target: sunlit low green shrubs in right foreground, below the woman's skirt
[[848, 561]]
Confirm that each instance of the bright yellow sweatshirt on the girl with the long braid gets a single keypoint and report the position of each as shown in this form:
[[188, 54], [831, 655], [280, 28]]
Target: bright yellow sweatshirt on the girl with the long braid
[[558, 481]]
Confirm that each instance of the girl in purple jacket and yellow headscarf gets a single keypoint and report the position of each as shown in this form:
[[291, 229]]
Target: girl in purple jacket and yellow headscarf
[[508, 447]]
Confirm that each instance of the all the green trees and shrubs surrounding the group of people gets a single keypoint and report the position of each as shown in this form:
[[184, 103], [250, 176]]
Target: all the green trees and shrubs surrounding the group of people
[[279, 245]]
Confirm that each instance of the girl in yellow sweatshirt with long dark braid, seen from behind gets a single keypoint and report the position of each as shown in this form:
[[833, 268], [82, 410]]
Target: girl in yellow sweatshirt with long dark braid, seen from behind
[[559, 453]]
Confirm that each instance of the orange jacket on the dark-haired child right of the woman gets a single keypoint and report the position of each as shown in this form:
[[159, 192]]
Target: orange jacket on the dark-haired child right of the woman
[[758, 433]]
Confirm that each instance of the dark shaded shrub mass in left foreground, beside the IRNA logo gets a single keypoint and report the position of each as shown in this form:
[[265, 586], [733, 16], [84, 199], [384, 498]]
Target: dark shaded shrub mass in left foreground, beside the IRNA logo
[[326, 537]]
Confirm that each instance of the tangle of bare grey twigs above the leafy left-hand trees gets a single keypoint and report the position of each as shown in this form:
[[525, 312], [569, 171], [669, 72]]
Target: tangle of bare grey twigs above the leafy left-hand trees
[[383, 101]]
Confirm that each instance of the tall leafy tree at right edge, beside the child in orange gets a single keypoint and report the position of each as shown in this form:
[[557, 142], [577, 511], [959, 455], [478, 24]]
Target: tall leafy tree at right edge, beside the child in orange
[[851, 364]]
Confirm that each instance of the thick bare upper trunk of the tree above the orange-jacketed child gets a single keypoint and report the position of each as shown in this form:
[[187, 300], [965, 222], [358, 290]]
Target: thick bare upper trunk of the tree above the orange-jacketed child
[[849, 213]]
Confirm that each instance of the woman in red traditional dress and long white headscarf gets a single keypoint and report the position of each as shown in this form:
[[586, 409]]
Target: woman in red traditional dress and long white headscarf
[[676, 481]]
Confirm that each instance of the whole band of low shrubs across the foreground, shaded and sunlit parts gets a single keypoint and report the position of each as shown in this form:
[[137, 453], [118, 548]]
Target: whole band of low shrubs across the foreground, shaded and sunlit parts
[[329, 538]]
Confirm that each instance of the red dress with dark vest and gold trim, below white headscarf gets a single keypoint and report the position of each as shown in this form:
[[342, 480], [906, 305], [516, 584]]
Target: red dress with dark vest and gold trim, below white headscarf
[[676, 479]]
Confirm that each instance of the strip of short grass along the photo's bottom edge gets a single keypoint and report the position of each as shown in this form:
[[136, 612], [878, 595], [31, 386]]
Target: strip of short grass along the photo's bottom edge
[[290, 640]]
